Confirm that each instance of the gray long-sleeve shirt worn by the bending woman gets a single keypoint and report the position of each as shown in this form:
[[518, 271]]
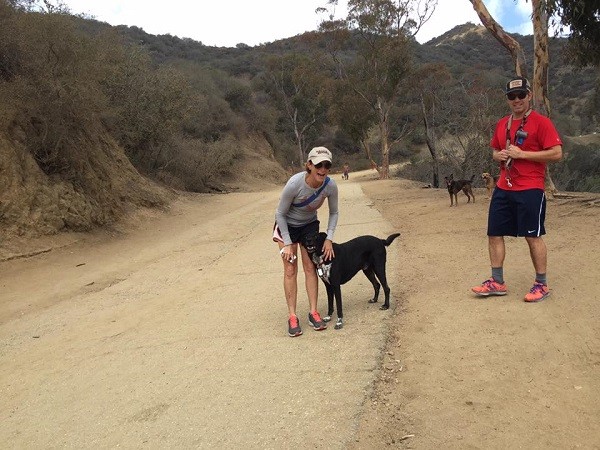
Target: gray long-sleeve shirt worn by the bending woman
[[295, 191]]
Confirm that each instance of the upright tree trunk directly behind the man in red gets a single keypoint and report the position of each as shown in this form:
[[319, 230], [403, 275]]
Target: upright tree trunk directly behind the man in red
[[540, 73]]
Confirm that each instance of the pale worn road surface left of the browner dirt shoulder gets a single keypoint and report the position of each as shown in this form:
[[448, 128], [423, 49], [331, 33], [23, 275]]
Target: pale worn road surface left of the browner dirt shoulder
[[175, 336]]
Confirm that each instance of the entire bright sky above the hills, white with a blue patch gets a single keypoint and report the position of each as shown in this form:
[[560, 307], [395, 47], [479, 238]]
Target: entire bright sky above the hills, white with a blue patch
[[226, 23]]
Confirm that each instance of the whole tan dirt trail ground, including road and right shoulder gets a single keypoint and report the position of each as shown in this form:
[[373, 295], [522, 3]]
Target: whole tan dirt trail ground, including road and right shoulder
[[173, 335]]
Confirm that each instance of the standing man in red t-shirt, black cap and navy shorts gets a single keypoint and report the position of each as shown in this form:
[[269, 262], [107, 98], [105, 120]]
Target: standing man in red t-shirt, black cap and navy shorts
[[523, 143]]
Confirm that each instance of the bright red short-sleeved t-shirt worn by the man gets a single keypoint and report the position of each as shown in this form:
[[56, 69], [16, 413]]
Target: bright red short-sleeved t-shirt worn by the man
[[541, 135]]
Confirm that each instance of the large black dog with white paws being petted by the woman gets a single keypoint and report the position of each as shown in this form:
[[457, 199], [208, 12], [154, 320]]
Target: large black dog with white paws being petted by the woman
[[366, 253]]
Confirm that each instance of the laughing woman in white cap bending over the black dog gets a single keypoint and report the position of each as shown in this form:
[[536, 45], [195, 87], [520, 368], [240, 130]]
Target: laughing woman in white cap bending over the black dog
[[295, 218]]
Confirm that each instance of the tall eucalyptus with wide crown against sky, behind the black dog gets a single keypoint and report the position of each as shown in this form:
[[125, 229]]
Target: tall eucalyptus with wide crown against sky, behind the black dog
[[384, 31]]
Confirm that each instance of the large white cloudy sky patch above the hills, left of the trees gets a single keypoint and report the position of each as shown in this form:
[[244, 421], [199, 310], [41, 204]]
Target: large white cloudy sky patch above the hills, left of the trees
[[220, 22]]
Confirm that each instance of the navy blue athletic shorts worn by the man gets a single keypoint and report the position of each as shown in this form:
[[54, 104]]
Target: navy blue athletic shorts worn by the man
[[517, 213]]
